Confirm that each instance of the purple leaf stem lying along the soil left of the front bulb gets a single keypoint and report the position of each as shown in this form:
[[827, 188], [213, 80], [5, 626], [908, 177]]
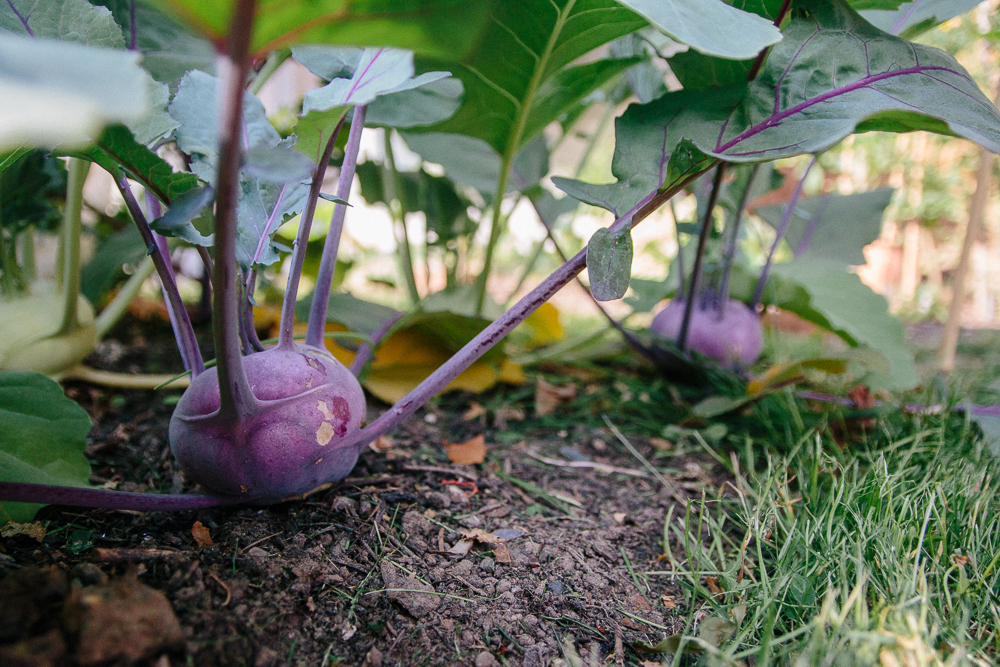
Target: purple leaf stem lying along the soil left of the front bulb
[[75, 496]]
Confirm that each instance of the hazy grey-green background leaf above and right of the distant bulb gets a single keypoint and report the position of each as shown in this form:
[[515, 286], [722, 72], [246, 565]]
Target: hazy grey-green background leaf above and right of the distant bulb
[[833, 227]]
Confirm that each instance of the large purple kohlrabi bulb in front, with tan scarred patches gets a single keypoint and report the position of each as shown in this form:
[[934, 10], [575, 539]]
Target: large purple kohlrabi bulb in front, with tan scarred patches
[[307, 402]]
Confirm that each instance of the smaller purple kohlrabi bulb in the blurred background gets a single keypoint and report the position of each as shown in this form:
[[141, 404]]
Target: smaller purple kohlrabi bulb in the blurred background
[[731, 335]]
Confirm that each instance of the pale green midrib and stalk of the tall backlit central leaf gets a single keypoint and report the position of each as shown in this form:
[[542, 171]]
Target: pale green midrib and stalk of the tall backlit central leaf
[[513, 143]]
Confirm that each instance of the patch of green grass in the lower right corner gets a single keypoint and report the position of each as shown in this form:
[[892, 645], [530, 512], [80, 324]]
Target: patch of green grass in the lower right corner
[[884, 552]]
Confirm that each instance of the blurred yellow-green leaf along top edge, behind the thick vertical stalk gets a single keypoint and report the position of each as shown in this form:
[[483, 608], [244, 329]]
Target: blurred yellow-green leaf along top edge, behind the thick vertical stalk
[[445, 28]]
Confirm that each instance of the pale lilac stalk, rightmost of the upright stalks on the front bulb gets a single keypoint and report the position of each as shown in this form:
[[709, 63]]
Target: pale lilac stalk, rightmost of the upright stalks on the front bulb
[[327, 264]]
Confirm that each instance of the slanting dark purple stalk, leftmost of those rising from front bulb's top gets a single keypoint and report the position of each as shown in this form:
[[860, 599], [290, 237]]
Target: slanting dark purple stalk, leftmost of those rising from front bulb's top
[[180, 321]]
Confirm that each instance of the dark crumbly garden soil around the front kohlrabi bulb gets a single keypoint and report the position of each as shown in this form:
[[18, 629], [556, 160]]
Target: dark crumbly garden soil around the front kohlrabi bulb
[[541, 555]]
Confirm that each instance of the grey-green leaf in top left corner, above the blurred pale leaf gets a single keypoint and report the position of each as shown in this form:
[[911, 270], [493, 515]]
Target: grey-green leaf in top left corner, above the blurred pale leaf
[[65, 20]]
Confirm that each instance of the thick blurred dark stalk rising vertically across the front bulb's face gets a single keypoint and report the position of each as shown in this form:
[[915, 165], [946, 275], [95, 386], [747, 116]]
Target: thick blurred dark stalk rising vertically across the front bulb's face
[[235, 397]]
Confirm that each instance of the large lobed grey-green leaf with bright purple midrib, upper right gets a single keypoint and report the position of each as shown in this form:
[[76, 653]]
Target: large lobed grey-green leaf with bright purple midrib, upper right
[[804, 100]]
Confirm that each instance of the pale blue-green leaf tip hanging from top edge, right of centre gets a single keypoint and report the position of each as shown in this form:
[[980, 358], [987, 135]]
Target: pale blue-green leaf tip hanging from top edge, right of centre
[[709, 26]]
